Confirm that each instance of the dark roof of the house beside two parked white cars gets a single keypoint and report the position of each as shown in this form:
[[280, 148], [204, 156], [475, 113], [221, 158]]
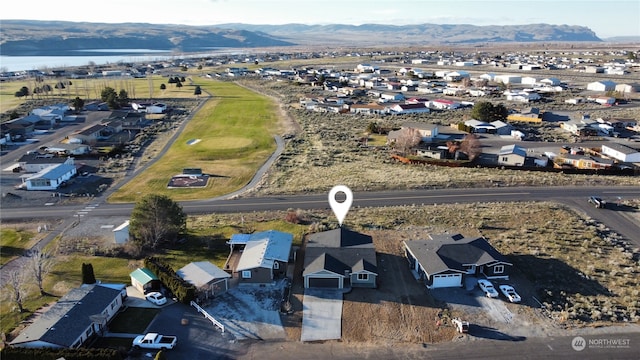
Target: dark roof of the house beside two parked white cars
[[453, 253]]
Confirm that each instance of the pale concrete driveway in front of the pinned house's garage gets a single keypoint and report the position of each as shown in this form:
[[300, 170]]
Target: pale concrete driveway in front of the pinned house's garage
[[321, 315]]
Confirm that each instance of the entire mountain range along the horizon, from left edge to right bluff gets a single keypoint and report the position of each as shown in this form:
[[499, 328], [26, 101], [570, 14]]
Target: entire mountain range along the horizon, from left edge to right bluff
[[31, 37]]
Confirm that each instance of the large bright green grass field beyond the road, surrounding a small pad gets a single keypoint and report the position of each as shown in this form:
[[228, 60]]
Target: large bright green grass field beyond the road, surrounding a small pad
[[235, 131]]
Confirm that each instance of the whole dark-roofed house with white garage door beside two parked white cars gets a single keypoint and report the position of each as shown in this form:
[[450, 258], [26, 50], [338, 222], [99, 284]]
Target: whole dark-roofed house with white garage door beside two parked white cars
[[446, 260]]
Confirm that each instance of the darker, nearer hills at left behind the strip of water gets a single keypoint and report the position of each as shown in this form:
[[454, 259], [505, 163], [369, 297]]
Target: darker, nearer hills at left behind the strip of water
[[29, 37]]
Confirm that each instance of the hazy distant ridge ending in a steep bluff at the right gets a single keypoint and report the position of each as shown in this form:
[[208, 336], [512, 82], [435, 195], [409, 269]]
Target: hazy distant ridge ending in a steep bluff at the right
[[370, 34]]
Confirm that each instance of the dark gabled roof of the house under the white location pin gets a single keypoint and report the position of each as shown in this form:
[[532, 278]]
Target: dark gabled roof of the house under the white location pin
[[339, 250]]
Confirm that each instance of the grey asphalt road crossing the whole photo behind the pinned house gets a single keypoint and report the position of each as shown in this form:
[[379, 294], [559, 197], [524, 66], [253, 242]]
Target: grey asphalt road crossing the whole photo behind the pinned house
[[576, 197]]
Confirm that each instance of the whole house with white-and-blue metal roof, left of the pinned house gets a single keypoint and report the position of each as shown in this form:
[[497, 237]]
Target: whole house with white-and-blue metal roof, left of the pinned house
[[260, 257]]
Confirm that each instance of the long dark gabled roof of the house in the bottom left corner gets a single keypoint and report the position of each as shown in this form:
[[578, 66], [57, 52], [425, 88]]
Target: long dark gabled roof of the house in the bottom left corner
[[71, 316]]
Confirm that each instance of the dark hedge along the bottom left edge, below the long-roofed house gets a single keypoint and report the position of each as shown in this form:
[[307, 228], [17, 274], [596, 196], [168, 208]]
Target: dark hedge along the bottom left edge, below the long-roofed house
[[17, 353]]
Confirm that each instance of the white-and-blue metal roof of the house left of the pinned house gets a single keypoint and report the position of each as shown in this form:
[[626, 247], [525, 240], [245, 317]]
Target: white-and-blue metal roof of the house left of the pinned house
[[263, 248]]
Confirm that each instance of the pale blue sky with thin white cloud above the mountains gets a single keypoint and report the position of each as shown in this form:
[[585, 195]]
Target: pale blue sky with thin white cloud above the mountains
[[607, 18]]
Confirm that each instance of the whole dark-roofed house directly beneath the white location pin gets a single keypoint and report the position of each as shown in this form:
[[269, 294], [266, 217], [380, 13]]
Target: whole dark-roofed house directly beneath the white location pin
[[340, 259]]
